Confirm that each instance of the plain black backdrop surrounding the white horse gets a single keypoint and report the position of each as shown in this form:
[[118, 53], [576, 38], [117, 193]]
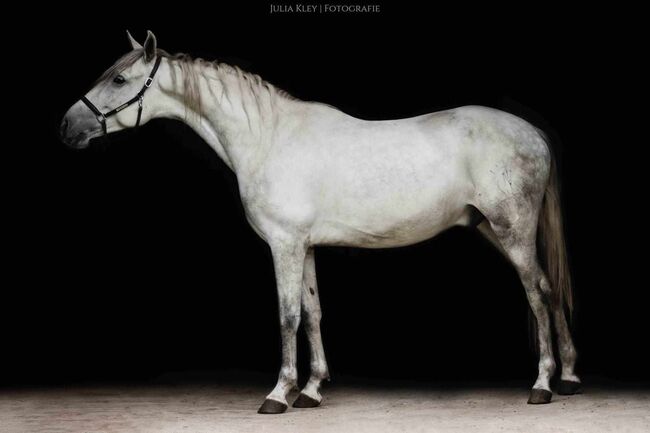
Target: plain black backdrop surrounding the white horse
[[132, 259]]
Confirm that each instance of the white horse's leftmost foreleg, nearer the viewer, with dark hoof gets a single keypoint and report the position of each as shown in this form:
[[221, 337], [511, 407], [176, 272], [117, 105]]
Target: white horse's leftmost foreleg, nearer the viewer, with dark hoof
[[288, 261]]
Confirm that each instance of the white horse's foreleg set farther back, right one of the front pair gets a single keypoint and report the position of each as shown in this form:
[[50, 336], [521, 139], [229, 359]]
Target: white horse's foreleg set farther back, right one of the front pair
[[310, 395]]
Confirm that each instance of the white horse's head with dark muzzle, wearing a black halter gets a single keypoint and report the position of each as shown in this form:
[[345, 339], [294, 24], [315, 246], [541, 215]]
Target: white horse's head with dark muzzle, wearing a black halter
[[116, 100]]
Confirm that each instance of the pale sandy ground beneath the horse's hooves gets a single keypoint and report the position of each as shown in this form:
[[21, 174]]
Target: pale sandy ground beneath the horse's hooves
[[352, 406]]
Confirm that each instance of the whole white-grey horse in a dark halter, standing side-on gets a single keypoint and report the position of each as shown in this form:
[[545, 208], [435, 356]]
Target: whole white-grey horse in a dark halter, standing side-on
[[310, 175]]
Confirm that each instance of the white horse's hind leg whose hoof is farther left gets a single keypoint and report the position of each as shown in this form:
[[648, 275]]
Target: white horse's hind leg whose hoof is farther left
[[518, 242]]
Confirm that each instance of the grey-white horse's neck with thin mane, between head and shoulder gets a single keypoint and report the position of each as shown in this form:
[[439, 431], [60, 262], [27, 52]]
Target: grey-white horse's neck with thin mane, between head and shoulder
[[239, 117]]
